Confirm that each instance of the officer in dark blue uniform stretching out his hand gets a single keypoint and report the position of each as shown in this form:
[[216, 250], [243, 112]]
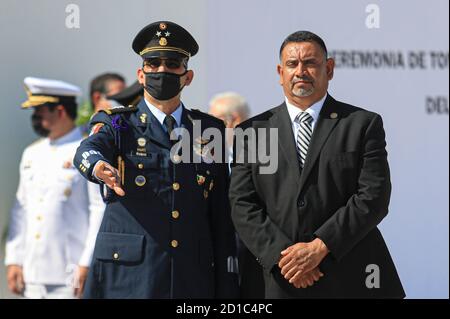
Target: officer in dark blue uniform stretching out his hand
[[166, 232]]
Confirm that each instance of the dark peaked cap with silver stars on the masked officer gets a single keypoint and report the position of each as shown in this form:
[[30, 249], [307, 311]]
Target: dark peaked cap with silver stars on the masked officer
[[164, 39]]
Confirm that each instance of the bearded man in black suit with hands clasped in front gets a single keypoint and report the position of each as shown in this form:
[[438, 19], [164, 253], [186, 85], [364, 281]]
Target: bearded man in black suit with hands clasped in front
[[312, 223]]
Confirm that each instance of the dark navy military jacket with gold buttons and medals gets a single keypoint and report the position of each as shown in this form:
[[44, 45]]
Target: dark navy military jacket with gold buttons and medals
[[171, 235]]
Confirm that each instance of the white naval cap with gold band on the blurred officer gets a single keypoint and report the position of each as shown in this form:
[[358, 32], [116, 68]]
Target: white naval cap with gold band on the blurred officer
[[46, 91]]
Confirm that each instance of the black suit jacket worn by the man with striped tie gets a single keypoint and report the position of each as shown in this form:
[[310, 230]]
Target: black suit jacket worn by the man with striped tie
[[340, 196]]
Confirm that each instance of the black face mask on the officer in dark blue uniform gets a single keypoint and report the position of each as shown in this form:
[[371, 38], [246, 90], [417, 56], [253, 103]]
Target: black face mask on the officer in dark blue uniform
[[163, 85]]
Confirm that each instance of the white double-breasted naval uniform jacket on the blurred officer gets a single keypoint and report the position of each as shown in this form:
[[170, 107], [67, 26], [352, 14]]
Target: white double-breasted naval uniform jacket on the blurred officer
[[56, 215]]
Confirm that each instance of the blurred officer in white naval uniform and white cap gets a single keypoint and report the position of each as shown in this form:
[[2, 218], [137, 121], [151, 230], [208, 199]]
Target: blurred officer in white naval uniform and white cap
[[56, 214]]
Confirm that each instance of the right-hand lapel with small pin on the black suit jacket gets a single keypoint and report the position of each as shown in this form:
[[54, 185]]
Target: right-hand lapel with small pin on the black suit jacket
[[327, 120]]
